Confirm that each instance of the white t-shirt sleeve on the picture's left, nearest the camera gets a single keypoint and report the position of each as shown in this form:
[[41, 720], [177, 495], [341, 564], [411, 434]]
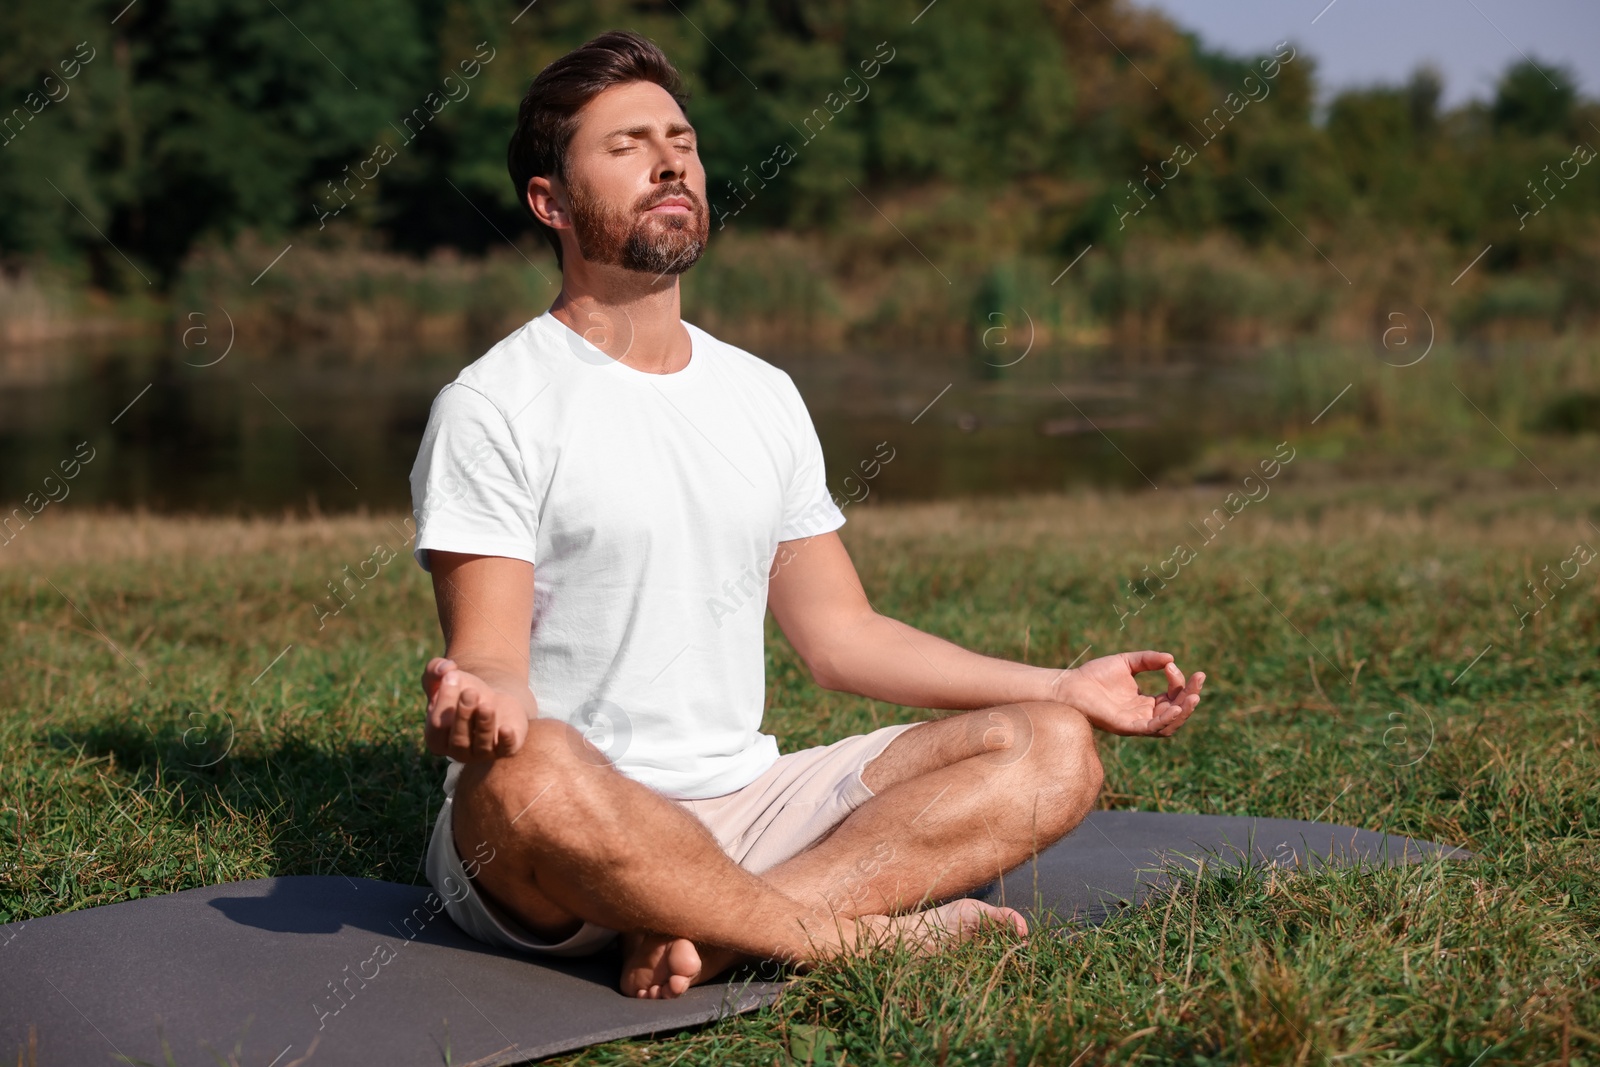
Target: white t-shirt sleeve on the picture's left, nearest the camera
[[470, 490]]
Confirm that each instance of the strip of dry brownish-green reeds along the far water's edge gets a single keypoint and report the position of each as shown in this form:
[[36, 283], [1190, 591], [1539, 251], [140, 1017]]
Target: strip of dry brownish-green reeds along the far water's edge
[[868, 287]]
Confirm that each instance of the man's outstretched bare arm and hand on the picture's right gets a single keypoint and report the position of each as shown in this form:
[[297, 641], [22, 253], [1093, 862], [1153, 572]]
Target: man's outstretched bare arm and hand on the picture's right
[[818, 601]]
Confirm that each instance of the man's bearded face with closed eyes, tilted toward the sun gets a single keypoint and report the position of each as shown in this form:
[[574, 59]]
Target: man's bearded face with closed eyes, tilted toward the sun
[[636, 185]]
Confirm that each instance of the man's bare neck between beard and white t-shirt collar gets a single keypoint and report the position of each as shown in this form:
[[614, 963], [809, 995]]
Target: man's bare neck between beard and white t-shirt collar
[[630, 316]]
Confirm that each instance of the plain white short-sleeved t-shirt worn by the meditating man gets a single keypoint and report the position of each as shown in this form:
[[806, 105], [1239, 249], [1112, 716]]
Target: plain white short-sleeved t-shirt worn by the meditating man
[[652, 508]]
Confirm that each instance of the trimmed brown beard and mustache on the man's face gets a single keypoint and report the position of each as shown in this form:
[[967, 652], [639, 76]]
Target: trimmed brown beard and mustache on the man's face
[[630, 239]]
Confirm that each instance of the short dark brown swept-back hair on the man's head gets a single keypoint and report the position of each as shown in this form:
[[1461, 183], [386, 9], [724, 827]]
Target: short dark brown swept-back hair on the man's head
[[548, 118]]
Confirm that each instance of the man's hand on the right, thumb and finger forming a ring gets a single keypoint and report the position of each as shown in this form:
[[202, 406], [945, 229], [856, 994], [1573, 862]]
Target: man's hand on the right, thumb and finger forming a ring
[[1106, 692]]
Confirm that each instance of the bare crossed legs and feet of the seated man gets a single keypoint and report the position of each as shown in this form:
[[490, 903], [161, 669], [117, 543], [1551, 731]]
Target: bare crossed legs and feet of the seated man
[[959, 802]]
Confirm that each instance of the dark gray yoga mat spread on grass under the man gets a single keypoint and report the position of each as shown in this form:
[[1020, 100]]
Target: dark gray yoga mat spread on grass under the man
[[329, 970]]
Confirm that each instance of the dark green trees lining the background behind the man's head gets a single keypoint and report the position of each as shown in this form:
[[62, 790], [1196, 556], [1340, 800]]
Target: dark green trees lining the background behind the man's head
[[1036, 129]]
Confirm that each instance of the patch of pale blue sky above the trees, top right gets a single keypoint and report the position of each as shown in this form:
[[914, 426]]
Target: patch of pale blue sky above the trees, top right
[[1367, 42]]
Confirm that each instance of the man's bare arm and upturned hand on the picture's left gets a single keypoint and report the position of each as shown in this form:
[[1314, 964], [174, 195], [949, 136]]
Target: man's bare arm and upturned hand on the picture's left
[[479, 698]]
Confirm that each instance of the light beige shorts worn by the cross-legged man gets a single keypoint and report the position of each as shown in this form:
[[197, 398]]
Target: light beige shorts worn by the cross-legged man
[[793, 805]]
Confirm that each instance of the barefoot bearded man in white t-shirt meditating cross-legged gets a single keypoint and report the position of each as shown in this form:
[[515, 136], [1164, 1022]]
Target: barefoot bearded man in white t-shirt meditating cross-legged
[[609, 502]]
